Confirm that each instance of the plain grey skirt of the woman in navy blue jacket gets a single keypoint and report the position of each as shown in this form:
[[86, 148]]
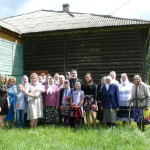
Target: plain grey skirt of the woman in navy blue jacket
[[110, 116]]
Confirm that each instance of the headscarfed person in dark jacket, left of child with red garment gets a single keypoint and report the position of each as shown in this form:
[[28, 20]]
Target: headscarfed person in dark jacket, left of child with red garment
[[65, 102]]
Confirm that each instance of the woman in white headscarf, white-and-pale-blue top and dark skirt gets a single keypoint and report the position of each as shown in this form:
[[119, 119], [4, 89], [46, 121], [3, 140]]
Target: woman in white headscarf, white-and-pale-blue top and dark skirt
[[125, 91]]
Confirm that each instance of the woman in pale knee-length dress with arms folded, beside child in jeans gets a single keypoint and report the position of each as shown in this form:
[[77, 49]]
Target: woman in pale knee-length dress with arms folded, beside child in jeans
[[35, 101]]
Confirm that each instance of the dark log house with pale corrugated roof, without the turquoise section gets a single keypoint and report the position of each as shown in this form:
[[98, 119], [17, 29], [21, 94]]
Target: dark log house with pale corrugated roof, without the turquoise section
[[58, 41]]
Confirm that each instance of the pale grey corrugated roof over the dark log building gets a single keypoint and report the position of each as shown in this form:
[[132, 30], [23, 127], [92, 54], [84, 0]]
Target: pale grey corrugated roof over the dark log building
[[48, 20]]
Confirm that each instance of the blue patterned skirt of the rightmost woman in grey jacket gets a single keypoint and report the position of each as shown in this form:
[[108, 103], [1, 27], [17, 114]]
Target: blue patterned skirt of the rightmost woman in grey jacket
[[138, 115]]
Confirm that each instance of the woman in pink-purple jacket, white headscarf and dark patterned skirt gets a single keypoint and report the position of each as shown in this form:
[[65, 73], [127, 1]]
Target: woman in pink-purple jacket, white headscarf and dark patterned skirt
[[51, 103]]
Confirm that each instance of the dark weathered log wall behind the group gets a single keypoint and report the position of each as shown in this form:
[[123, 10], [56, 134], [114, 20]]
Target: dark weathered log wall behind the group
[[95, 52]]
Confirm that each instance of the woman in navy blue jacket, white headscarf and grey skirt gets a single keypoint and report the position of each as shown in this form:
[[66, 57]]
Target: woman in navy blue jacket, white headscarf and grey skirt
[[110, 102]]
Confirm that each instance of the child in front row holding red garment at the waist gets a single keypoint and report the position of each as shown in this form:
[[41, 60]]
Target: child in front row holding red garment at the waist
[[77, 100]]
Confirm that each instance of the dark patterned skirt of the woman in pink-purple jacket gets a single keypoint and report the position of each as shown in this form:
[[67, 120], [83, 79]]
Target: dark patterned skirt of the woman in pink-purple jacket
[[51, 115]]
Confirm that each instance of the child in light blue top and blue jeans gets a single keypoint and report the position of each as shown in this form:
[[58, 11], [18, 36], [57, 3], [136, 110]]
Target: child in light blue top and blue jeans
[[20, 106]]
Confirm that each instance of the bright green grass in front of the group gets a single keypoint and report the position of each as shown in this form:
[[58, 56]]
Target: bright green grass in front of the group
[[61, 138]]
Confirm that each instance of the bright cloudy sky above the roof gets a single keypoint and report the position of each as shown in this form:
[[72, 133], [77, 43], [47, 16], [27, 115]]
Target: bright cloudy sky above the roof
[[137, 9]]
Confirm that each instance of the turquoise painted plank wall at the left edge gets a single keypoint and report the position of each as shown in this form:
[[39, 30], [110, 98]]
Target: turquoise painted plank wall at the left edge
[[11, 59]]
